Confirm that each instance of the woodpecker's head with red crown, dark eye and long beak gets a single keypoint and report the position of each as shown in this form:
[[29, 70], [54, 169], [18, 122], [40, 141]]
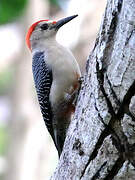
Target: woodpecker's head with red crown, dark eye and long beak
[[44, 29]]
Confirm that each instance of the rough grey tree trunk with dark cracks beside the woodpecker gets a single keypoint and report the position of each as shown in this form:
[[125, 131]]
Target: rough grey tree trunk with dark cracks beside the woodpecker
[[100, 142]]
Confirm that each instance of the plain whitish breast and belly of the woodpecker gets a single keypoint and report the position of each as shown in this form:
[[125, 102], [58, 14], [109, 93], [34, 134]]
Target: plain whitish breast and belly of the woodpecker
[[65, 71]]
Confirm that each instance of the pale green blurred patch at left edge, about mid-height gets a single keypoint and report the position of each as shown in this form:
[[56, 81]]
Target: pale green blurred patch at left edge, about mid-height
[[6, 80]]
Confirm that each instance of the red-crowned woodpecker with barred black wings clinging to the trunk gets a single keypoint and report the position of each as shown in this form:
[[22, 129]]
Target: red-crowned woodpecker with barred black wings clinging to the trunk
[[56, 76]]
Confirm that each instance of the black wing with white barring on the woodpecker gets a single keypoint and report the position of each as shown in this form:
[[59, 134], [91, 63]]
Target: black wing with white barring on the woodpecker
[[43, 81]]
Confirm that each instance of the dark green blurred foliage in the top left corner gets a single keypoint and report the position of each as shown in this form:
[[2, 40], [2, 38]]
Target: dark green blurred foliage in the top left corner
[[11, 10]]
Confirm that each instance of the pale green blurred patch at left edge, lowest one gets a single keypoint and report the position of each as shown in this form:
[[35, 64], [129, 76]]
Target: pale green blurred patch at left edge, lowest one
[[3, 140]]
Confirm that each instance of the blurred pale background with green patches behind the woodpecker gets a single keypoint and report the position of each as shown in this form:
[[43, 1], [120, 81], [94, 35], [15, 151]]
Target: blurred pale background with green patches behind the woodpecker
[[26, 149]]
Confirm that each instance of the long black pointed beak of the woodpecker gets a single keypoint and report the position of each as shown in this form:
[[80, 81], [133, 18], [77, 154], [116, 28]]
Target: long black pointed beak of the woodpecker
[[63, 21]]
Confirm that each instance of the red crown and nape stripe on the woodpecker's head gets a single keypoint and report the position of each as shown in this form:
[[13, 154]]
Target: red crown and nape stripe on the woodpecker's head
[[31, 29]]
